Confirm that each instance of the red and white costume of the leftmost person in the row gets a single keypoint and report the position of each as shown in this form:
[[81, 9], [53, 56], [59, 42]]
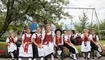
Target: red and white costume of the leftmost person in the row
[[12, 46]]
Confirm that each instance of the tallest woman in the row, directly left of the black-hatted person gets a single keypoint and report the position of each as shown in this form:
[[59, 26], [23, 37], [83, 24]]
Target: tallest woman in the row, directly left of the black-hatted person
[[48, 37]]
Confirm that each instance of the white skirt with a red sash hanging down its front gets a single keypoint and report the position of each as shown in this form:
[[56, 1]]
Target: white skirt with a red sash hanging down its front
[[26, 54]]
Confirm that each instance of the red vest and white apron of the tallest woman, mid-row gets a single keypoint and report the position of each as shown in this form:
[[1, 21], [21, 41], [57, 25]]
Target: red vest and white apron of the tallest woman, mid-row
[[48, 42]]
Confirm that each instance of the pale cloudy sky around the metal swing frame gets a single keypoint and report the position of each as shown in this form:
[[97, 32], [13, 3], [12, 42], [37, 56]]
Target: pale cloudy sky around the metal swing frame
[[99, 5]]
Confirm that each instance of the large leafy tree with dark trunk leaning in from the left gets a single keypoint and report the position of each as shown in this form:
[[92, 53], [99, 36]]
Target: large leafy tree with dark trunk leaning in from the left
[[16, 10]]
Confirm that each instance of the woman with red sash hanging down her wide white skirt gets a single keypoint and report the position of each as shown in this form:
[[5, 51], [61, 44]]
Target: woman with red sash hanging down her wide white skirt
[[25, 49]]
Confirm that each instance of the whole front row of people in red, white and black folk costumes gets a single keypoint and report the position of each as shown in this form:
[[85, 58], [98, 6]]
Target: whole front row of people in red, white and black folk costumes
[[41, 43]]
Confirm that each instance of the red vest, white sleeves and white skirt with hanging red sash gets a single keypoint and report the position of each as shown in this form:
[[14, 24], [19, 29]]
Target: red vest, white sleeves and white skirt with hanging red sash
[[27, 50]]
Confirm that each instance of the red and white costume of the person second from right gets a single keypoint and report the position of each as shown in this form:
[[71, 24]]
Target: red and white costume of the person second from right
[[85, 46]]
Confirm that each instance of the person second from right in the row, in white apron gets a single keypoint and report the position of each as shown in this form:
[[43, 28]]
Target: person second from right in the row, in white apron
[[85, 46]]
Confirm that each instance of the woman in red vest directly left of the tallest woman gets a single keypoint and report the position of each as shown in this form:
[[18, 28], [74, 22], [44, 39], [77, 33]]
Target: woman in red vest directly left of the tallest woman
[[37, 44]]
